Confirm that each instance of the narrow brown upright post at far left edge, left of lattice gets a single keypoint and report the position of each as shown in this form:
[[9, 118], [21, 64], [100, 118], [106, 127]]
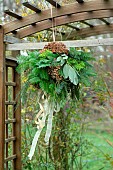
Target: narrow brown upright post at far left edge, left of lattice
[[2, 100]]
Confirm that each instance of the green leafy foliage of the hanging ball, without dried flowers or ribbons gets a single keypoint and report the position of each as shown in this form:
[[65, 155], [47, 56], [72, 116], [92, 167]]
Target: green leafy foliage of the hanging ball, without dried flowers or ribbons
[[74, 70]]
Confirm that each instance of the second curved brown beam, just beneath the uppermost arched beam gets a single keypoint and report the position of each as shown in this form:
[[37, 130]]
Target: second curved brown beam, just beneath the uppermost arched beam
[[64, 20]]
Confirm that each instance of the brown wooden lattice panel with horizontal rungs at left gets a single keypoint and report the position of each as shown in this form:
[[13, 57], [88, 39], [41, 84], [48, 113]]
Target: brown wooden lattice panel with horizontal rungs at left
[[12, 118]]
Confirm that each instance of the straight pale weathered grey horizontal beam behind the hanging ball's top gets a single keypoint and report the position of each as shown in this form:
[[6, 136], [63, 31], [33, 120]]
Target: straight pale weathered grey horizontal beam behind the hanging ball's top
[[76, 43]]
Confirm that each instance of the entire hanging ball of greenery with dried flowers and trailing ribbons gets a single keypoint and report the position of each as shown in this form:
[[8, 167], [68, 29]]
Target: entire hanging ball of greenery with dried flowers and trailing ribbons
[[58, 73]]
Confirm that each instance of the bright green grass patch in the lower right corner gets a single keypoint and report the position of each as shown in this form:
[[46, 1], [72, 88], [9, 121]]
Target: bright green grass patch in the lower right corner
[[101, 152]]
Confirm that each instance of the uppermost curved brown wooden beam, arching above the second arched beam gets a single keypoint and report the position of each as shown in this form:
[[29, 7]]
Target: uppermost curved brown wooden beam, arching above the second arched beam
[[64, 10]]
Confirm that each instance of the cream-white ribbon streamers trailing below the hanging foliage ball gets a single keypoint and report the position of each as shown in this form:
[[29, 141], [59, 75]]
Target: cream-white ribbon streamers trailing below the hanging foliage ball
[[47, 110]]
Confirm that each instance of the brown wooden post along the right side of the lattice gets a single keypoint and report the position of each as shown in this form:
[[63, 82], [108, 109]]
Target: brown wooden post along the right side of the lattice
[[17, 115]]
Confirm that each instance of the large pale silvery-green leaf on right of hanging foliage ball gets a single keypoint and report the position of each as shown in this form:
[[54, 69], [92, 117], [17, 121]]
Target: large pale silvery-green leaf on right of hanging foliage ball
[[71, 73]]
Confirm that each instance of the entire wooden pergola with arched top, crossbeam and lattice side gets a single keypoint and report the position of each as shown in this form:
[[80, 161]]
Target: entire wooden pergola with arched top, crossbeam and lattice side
[[11, 35]]
